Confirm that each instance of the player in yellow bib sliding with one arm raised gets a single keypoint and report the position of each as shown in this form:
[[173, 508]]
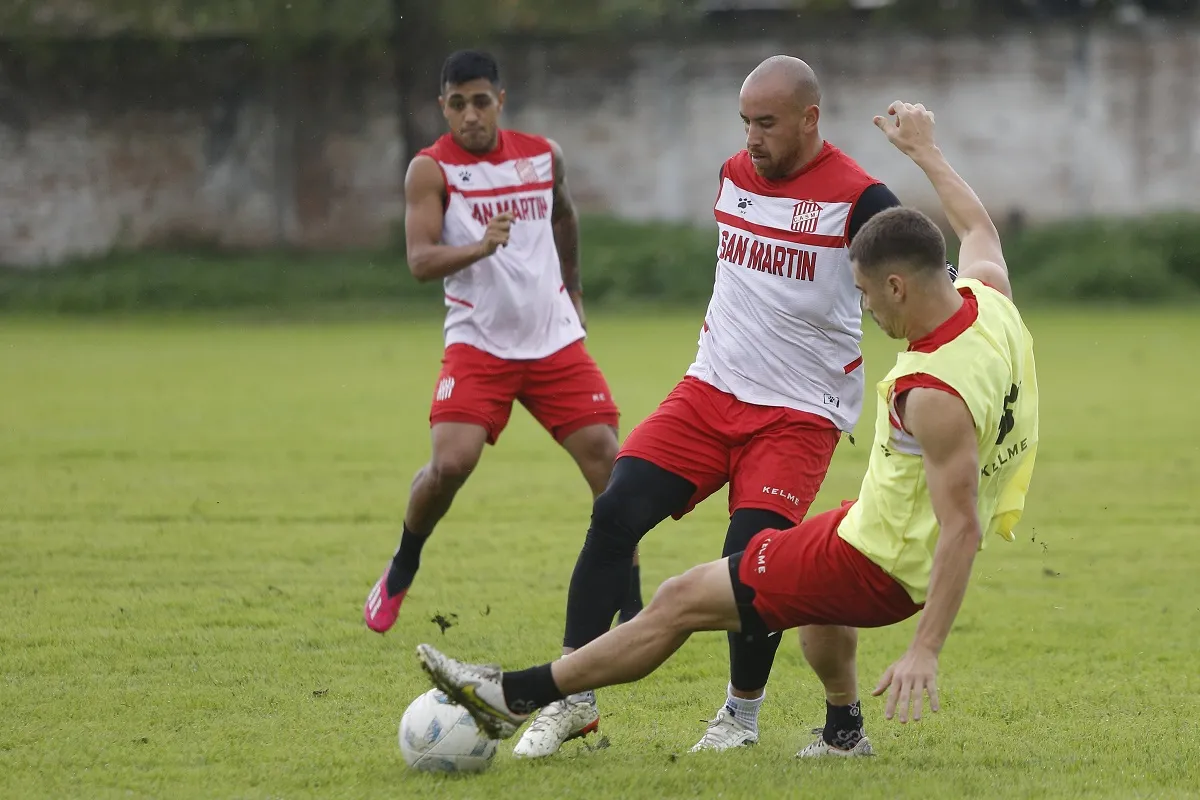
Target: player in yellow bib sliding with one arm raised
[[956, 440]]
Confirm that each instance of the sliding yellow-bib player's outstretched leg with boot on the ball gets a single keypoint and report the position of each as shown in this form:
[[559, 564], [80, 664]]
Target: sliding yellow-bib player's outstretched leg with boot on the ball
[[700, 600]]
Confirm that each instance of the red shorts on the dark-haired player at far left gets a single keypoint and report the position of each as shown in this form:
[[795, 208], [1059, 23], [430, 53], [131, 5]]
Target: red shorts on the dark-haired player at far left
[[566, 392]]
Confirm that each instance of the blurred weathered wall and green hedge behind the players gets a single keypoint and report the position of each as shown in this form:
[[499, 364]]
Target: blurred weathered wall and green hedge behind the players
[[223, 127]]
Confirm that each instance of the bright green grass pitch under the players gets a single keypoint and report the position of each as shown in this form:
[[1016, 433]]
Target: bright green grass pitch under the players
[[193, 512]]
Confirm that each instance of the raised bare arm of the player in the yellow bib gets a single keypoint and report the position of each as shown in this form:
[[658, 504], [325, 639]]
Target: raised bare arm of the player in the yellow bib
[[911, 130]]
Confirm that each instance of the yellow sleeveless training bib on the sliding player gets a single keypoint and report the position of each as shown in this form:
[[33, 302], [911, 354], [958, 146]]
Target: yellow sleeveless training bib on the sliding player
[[989, 364]]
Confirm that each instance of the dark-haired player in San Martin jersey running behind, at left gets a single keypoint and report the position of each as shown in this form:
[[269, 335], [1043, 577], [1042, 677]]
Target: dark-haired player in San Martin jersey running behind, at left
[[489, 214]]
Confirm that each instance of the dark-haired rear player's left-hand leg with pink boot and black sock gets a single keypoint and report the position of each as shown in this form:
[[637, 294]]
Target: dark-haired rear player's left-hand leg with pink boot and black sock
[[458, 448]]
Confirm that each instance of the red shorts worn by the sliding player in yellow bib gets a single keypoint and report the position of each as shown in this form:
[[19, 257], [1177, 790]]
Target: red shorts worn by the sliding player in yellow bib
[[811, 576]]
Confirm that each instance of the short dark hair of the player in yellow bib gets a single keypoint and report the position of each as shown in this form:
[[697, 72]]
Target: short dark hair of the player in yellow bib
[[902, 238]]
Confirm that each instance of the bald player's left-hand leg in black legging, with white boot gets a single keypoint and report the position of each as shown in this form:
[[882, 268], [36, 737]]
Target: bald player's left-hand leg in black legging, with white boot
[[640, 496]]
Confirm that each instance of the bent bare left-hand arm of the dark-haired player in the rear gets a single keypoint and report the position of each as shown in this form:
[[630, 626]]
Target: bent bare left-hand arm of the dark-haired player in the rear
[[429, 260]]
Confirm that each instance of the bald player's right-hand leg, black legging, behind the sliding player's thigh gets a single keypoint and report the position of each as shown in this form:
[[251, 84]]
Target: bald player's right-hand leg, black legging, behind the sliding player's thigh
[[752, 655]]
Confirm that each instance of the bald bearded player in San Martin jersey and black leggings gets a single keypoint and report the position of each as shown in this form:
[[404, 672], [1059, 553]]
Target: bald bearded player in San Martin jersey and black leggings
[[777, 380]]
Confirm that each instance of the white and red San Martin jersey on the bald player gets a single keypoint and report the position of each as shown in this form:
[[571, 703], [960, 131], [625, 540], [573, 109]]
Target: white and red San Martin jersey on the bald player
[[785, 322]]
